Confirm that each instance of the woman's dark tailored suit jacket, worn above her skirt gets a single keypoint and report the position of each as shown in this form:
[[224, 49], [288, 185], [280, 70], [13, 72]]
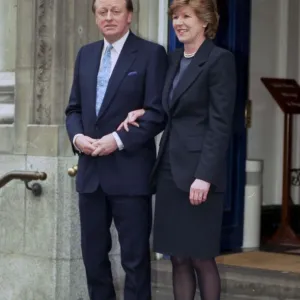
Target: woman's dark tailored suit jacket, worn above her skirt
[[200, 116]]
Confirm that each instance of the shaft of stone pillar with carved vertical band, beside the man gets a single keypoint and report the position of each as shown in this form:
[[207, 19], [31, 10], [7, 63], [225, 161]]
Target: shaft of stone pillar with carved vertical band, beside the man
[[61, 28]]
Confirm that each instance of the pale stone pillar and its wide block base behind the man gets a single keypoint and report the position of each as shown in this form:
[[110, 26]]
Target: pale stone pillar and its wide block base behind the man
[[40, 256]]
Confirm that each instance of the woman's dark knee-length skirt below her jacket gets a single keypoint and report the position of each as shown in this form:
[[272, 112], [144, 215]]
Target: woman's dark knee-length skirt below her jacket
[[181, 229]]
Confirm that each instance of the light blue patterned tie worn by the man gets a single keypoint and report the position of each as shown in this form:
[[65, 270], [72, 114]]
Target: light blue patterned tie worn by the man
[[103, 77]]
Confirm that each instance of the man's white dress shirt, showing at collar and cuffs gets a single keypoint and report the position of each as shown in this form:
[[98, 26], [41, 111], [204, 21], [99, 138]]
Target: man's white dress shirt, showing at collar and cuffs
[[115, 53]]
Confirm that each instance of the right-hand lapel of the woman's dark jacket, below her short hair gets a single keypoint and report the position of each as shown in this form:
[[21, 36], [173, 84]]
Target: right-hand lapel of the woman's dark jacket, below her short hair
[[193, 70]]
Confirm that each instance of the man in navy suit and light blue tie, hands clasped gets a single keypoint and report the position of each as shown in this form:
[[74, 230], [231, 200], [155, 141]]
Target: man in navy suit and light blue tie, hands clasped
[[111, 78]]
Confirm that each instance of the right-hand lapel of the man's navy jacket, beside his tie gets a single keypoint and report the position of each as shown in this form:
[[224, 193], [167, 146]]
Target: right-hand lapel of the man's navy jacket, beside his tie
[[125, 60]]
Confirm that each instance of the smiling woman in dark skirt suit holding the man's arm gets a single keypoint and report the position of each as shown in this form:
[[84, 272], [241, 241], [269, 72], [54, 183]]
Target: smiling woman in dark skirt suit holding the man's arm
[[190, 172]]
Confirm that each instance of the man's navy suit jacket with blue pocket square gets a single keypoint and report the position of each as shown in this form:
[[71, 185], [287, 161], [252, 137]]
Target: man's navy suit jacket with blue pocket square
[[137, 81]]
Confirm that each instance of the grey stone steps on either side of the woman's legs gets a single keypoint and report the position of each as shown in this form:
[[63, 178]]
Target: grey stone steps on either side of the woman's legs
[[237, 283]]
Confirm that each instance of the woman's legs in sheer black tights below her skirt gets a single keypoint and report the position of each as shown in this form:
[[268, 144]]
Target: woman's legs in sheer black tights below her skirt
[[185, 273]]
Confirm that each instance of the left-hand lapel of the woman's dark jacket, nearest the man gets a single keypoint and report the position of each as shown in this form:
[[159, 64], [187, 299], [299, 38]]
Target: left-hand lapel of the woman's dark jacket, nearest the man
[[173, 68]]
